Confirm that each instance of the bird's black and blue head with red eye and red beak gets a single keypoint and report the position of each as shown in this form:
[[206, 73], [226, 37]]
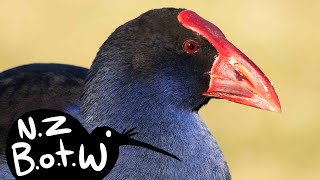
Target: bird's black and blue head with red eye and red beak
[[182, 59]]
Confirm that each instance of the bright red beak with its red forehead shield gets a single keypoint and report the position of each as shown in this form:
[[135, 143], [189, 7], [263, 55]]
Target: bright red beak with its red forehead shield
[[233, 75]]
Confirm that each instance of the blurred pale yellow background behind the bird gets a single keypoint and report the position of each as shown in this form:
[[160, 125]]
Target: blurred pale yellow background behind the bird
[[282, 37]]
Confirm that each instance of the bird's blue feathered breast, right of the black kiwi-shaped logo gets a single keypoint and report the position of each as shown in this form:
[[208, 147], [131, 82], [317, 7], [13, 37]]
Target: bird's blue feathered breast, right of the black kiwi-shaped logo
[[188, 138]]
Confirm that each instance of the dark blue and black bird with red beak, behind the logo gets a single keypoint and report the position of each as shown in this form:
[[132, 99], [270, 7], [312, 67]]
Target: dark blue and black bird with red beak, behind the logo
[[153, 73]]
